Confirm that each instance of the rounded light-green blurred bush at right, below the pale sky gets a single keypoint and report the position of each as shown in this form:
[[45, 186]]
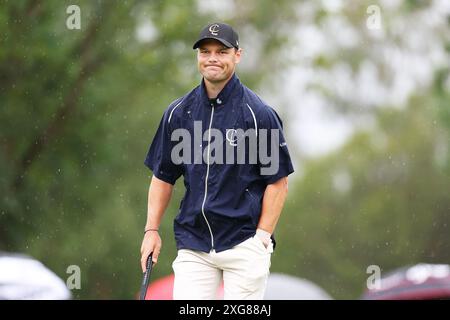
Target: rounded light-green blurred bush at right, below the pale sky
[[381, 200]]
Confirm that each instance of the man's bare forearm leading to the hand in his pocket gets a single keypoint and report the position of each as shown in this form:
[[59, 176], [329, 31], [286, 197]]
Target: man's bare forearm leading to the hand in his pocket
[[273, 202]]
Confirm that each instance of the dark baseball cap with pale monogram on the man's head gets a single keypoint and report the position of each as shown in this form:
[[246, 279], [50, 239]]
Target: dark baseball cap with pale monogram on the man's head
[[221, 32]]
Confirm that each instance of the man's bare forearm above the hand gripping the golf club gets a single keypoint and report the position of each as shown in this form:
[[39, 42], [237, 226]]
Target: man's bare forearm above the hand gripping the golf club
[[159, 194]]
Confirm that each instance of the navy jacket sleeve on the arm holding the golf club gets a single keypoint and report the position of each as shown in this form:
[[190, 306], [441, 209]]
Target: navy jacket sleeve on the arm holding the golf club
[[158, 158]]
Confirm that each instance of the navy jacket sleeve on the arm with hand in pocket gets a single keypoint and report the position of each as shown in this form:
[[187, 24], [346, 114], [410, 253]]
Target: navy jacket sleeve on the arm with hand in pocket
[[274, 159]]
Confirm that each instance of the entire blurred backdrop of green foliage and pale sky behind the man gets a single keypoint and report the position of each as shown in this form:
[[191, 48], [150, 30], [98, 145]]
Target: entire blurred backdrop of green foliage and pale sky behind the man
[[363, 88]]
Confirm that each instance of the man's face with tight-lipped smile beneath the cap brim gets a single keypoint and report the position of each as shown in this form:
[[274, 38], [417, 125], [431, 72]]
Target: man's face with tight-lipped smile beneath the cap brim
[[216, 62]]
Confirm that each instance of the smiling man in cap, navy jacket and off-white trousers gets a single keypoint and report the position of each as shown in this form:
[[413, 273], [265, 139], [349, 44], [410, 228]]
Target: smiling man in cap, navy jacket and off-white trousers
[[219, 137]]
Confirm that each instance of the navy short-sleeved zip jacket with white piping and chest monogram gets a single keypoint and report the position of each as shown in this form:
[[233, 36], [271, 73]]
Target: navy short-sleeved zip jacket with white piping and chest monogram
[[223, 199]]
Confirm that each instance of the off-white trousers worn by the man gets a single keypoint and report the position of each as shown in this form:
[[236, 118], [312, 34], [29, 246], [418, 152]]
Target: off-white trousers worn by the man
[[244, 270]]
